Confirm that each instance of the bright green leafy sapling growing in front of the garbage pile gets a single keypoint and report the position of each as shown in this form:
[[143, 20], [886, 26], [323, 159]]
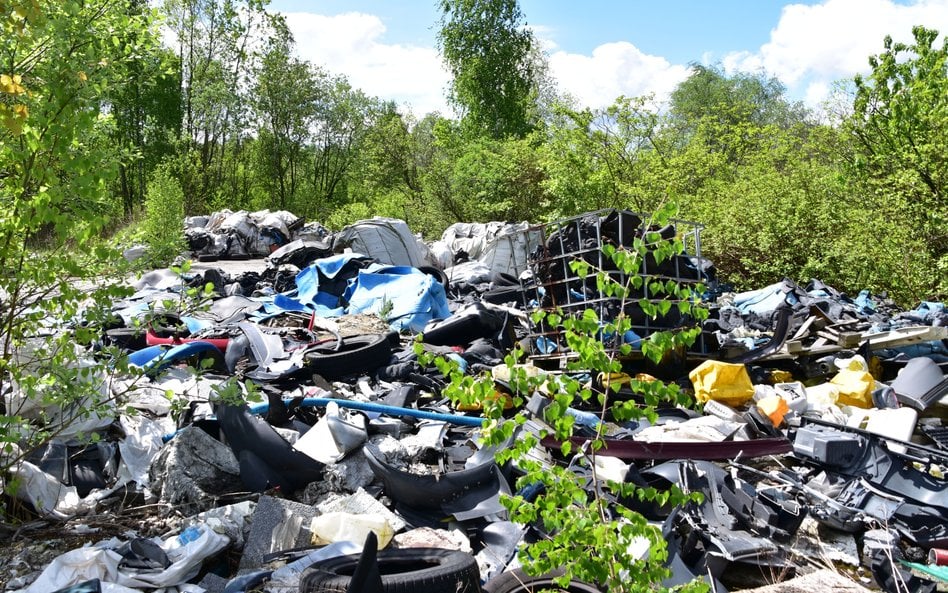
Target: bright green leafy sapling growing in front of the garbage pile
[[582, 529]]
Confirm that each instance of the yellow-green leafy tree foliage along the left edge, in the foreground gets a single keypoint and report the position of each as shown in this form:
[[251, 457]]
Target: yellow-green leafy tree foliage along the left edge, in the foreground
[[61, 58]]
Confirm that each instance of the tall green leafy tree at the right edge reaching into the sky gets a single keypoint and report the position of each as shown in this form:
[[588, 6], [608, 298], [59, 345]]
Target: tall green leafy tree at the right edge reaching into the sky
[[900, 126]]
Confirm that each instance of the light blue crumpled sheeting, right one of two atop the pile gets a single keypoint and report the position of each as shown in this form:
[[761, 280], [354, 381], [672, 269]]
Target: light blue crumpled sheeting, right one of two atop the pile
[[414, 298]]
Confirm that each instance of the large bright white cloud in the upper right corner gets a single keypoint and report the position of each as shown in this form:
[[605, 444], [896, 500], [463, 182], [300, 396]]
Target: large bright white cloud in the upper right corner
[[812, 46]]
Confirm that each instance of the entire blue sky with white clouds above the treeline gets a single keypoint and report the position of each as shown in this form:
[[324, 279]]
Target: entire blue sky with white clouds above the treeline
[[600, 49]]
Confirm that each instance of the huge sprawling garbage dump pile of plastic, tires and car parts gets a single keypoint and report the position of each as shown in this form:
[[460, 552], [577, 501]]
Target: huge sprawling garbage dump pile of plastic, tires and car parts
[[820, 440]]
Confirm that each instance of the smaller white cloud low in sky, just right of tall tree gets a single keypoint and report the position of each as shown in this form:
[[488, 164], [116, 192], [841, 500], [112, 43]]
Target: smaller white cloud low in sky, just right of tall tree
[[612, 70]]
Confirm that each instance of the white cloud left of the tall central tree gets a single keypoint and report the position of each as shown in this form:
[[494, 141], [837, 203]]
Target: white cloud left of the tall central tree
[[352, 44]]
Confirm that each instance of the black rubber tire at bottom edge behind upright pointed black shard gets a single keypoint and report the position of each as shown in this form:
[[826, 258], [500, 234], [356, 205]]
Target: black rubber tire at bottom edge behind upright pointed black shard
[[412, 570]]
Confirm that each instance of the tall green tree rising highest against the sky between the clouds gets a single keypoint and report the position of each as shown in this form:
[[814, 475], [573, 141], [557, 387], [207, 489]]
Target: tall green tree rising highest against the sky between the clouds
[[488, 50]]
